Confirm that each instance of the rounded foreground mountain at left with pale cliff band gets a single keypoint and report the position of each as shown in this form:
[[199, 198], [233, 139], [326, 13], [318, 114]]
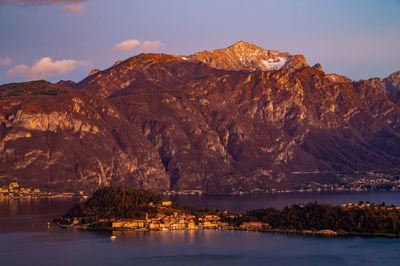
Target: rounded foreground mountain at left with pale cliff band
[[55, 136]]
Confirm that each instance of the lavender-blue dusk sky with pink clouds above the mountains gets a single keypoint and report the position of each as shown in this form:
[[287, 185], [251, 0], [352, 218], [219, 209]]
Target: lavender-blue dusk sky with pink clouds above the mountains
[[65, 39]]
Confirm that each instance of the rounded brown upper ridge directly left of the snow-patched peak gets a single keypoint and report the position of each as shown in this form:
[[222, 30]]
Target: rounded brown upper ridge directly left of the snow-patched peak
[[167, 70]]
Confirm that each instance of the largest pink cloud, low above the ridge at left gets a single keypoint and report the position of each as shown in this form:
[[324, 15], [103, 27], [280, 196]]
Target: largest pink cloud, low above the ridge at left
[[46, 67]]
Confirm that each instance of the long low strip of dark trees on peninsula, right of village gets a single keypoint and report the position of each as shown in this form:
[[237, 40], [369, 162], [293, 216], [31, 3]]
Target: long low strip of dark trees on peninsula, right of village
[[363, 218]]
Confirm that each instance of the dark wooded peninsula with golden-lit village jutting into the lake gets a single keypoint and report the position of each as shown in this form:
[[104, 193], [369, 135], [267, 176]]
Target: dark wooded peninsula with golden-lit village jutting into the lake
[[126, 208]]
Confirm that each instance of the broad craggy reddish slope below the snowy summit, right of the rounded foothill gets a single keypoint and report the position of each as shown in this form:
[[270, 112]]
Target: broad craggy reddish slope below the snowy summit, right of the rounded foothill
[[263, 130]]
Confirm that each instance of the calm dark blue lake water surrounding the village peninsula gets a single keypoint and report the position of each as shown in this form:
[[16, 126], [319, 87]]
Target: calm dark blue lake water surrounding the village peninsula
[[25, 238]]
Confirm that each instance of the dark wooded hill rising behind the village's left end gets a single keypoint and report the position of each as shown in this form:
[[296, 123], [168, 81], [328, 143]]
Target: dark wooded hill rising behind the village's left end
[[116, 202]]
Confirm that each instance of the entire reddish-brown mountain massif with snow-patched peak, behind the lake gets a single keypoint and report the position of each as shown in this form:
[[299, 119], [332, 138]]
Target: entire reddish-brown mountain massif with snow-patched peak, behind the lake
[[221, 121]]
